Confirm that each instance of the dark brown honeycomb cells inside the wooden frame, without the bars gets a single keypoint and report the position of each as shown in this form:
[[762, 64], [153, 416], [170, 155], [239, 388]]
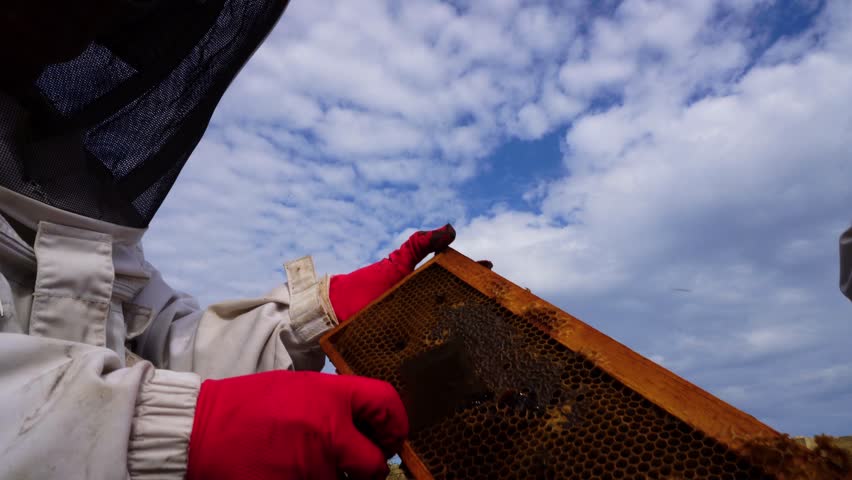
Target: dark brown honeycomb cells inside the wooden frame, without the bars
[[528, 407]]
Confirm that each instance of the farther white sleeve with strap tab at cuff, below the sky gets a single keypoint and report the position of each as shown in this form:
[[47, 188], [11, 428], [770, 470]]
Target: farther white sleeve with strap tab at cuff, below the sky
[[279, 330]]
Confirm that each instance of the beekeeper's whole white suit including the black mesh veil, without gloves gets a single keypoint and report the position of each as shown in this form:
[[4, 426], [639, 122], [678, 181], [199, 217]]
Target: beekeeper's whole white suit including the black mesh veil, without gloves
[[100, 360]]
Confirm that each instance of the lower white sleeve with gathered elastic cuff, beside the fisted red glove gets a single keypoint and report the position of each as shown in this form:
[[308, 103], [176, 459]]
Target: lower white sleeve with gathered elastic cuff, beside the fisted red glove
[[71, 411]]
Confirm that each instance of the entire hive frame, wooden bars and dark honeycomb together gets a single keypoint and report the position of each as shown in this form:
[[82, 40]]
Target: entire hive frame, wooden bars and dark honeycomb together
[[500, 384]]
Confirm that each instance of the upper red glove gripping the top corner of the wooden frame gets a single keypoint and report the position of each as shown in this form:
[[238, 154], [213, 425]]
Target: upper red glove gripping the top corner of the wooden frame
[[354, 291]]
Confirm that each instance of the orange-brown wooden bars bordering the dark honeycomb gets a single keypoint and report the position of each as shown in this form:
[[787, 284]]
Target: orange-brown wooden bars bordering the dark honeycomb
[[726, 424]]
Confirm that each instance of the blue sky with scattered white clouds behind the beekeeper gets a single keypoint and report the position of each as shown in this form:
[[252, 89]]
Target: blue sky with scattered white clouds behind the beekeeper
[[674, 173]]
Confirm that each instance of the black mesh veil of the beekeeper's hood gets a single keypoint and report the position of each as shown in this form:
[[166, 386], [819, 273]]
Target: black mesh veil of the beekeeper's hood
[[111, 129]]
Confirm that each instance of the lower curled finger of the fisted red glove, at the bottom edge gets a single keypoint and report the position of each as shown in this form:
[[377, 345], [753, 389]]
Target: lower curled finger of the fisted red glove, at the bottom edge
[[358, 457]]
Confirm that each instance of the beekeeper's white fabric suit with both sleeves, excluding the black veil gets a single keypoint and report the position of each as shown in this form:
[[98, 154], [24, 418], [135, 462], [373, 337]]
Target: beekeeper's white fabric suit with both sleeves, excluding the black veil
[[89, 329]]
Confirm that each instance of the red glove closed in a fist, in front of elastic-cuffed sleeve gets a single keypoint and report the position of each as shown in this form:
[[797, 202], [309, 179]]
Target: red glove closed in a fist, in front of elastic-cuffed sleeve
[[295, 425]]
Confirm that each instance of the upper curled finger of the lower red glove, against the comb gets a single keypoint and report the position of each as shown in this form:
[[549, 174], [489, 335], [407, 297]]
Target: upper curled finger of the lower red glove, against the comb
[[377, 408]]
